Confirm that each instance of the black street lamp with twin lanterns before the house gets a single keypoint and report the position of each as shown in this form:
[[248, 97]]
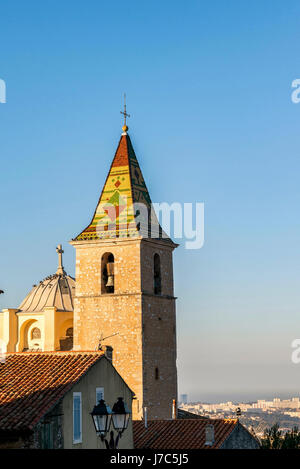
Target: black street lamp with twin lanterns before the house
[[102, 417]]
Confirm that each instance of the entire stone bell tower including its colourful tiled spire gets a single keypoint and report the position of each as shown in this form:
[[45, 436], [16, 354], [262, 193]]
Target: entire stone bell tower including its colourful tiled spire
[[124, 287]]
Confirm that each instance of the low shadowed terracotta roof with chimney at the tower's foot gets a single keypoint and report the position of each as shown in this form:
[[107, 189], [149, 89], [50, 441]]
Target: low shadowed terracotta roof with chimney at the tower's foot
[[180, 433]]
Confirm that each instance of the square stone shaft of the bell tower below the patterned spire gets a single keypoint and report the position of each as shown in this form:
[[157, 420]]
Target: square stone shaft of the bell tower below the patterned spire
[[144, 324]]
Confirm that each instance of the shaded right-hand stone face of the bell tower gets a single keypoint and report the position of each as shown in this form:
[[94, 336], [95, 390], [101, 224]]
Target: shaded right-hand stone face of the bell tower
[[159, 332]]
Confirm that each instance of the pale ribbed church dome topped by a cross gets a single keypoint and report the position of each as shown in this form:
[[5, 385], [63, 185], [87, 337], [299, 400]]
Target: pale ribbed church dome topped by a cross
[[56, 290]]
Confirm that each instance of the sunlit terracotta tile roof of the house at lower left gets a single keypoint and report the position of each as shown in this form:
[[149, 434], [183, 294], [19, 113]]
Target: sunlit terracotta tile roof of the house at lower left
[[32, 383]]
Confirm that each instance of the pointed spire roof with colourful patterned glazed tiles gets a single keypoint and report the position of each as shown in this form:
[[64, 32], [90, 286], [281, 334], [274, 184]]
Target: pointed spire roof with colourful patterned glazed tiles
[[124, 205]]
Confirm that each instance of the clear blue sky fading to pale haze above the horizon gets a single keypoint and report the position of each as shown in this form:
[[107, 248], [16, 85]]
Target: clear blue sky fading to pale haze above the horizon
[[209, 90]]
